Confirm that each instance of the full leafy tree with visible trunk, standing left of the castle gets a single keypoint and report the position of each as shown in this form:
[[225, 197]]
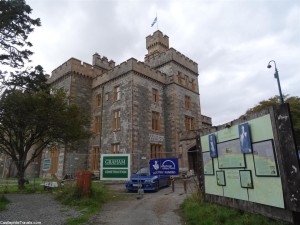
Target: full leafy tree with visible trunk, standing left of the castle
[[33, 117]]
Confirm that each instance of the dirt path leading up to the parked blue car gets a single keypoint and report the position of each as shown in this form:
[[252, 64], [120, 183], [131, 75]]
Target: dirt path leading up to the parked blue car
[[158, 208]]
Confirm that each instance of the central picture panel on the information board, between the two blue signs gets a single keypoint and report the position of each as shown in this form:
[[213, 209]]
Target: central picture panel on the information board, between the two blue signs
[[230, 155]]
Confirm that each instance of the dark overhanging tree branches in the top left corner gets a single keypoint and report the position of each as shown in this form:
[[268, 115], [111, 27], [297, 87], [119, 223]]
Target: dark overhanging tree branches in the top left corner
[[15, 26]]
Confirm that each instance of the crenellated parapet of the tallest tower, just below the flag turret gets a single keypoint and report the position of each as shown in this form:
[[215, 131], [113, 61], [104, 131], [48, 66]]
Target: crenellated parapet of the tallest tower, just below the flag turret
[[156, 60]]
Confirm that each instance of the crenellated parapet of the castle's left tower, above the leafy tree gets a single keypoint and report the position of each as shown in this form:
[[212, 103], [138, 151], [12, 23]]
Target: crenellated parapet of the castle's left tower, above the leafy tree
[[73, 65]]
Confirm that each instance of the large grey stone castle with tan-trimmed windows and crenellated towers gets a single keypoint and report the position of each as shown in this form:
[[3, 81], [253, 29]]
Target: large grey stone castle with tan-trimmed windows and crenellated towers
[[149, 109]]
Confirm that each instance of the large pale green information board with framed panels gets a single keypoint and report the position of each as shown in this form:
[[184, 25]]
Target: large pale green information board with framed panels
[[245, 166]]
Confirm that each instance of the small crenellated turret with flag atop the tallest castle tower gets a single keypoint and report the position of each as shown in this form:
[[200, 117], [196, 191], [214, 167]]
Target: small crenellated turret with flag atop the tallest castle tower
[[157, 43]]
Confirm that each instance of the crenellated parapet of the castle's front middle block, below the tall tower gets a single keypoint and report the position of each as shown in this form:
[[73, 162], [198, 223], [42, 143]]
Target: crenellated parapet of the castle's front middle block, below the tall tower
[[131, 65]]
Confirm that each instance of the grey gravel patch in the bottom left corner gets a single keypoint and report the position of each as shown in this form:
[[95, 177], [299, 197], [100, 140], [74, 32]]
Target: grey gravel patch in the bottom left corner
[[35, 209]]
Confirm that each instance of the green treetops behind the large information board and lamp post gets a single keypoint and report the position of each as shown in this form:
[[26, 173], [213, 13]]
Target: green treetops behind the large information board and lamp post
[[294, 103]]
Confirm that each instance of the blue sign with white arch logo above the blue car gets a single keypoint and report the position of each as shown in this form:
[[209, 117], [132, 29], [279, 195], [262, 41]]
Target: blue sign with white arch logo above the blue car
[[166, 166]]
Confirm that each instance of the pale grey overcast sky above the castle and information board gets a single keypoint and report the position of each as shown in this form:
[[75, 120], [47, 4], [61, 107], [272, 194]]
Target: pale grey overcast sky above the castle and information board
[[231, 40]]
